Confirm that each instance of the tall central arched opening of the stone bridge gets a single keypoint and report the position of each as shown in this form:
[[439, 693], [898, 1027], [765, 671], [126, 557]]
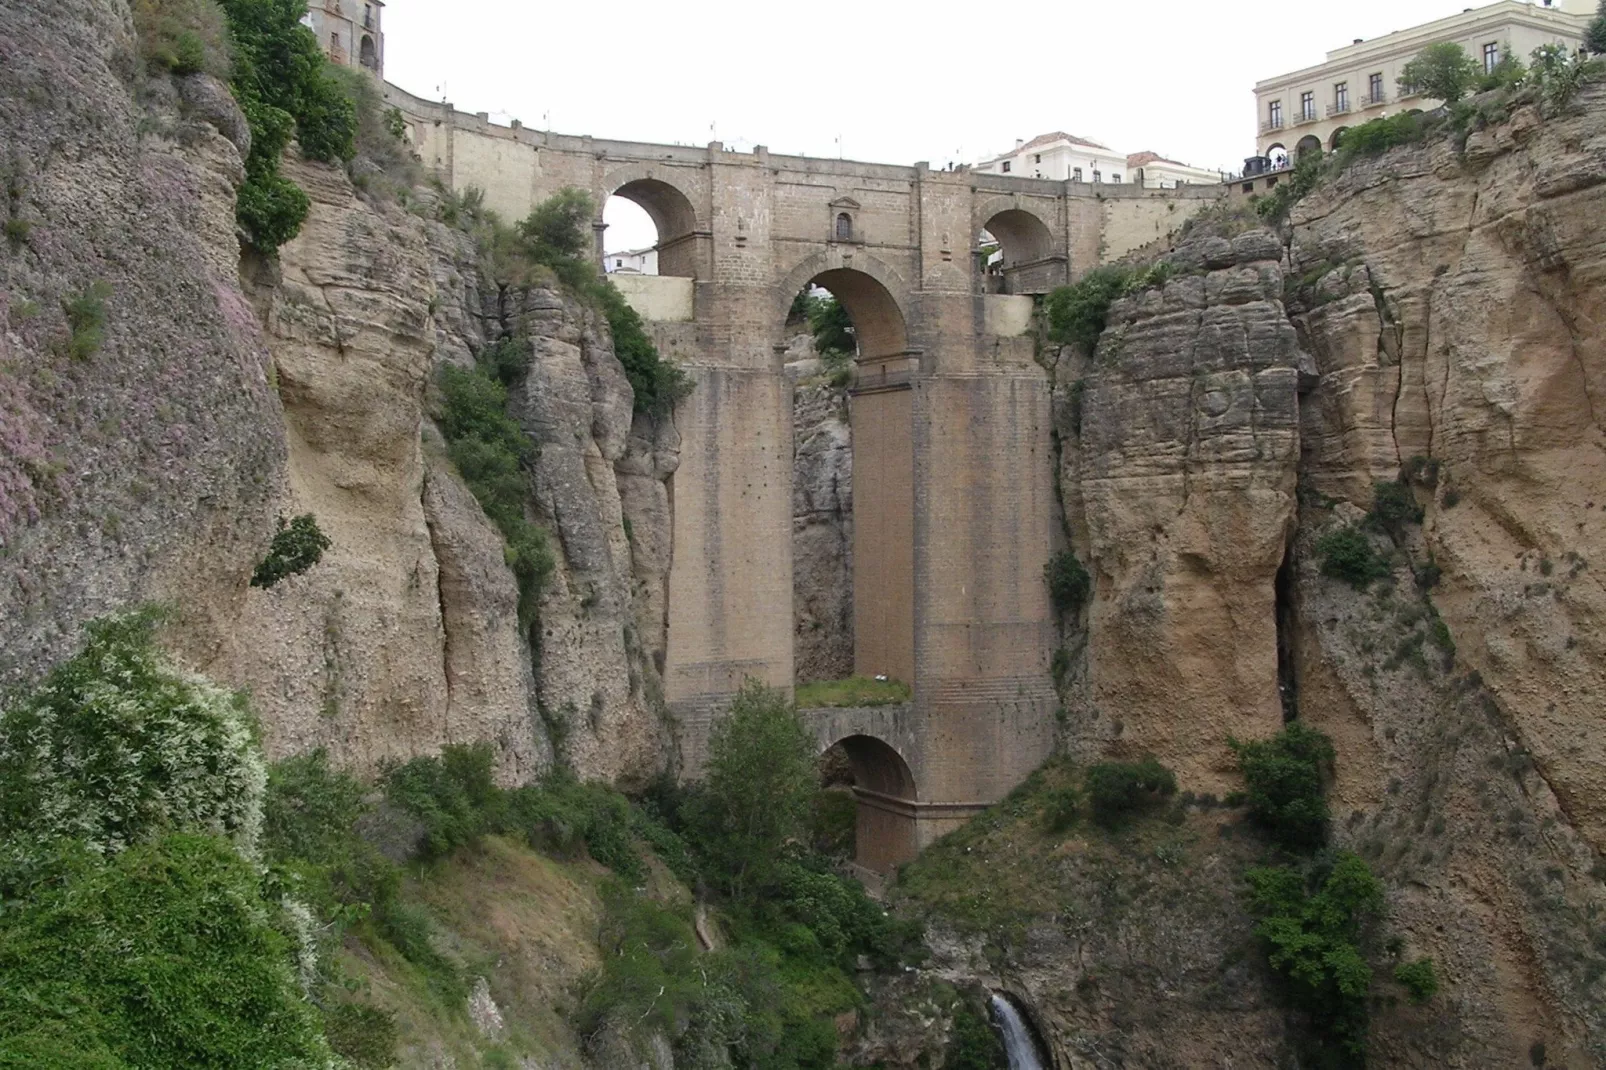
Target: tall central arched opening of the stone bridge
[[854, 533]]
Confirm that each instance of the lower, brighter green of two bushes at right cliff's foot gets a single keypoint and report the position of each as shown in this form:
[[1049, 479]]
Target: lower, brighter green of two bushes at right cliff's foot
[[1313, 926]]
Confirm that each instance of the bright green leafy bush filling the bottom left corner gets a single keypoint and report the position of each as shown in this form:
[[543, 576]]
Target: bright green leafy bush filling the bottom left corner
[[163, 955]]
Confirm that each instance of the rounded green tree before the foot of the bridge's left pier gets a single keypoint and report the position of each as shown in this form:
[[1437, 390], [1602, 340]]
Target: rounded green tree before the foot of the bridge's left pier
[[759, 788]]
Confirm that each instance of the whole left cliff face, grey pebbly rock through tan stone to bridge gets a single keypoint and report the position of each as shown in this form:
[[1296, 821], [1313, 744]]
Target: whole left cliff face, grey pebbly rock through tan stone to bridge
[[152, 467]]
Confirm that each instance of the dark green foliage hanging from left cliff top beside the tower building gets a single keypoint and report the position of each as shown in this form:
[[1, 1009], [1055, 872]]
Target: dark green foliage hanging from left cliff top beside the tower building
[[285, 88]]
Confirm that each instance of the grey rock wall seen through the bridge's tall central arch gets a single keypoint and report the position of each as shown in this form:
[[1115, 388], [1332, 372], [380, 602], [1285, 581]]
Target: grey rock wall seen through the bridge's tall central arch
[[821, 520]]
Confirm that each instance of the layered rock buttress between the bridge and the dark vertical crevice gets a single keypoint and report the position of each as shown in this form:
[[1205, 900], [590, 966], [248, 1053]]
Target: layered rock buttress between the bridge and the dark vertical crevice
[[1180, 452]]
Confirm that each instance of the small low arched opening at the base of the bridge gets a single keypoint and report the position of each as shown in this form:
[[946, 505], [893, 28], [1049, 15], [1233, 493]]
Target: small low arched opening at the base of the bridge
[[884, 791]]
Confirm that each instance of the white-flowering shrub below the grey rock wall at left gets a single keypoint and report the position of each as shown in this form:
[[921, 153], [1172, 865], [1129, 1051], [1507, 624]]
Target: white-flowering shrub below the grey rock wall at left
[[116, 746]]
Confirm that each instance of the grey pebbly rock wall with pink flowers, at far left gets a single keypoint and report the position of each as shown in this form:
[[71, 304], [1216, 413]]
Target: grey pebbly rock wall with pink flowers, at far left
[[141, 441]]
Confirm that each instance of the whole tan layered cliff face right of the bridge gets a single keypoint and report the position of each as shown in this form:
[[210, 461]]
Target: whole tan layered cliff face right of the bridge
[[1432, 317]]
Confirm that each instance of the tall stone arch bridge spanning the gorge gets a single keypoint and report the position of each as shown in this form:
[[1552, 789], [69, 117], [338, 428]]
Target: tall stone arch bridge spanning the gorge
[[955, 504]]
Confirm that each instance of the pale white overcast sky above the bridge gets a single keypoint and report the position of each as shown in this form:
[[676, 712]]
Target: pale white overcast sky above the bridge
[[876, 80]]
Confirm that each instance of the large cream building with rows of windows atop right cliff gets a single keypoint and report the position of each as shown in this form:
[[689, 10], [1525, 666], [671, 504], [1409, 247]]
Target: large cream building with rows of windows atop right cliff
[[1313, 108]]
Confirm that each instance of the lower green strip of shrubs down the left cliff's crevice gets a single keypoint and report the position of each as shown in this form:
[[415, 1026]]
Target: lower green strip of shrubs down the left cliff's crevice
[[492, 454]]
